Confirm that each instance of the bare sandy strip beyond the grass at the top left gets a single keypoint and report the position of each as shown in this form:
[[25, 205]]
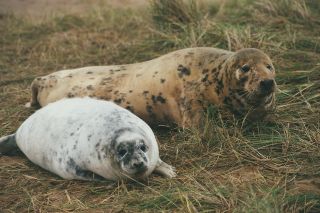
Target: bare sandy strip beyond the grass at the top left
[[42, 8]]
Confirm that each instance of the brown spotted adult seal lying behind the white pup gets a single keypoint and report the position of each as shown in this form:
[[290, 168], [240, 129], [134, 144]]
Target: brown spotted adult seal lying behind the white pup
[[176, 87]]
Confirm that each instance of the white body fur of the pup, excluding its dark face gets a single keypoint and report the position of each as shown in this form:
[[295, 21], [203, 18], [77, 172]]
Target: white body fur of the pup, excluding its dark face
[[71, 128]]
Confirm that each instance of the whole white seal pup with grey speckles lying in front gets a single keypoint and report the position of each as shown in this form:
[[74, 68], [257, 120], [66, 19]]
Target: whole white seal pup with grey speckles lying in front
[[86, 139]]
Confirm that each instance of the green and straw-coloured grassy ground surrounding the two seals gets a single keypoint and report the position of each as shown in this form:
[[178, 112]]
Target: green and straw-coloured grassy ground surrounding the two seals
[[232, 167]]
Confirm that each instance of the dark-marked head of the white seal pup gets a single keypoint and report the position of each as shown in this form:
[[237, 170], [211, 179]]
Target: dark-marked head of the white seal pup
[[130, 153]]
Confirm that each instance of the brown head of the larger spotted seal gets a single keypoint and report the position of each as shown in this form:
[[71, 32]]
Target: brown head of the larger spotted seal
[[253, 78]]
